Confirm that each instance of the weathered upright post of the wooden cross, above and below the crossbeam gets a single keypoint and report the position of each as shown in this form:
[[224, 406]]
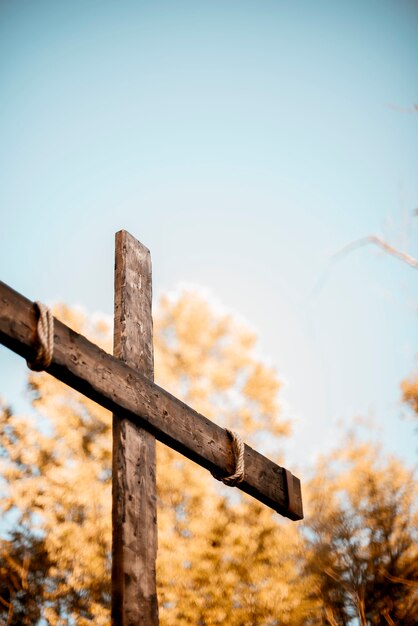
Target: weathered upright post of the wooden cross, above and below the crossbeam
[[134, 512]]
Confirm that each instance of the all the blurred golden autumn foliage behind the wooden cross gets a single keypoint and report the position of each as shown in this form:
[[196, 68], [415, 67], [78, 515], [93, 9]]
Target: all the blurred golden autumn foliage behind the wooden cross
[[223, 558]]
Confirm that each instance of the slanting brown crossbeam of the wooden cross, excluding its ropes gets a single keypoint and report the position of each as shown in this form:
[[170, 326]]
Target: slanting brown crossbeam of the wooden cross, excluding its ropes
[[114, 385]]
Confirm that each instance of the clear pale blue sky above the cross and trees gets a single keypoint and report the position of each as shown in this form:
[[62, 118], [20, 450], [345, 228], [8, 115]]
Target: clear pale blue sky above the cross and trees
[[244, 142]]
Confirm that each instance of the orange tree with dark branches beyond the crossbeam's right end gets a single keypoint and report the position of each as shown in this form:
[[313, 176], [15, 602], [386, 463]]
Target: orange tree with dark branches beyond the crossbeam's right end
[[362, 538]]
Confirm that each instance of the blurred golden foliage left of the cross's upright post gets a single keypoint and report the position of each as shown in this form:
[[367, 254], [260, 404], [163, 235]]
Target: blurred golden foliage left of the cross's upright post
[[56, 466]]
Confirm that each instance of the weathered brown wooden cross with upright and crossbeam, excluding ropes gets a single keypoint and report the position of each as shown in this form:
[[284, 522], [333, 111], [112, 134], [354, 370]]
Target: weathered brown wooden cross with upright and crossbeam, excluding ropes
[[142, 412]]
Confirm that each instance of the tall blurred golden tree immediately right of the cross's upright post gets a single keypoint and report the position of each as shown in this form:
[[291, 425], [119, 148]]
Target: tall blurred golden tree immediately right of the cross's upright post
[[221, 559]]
